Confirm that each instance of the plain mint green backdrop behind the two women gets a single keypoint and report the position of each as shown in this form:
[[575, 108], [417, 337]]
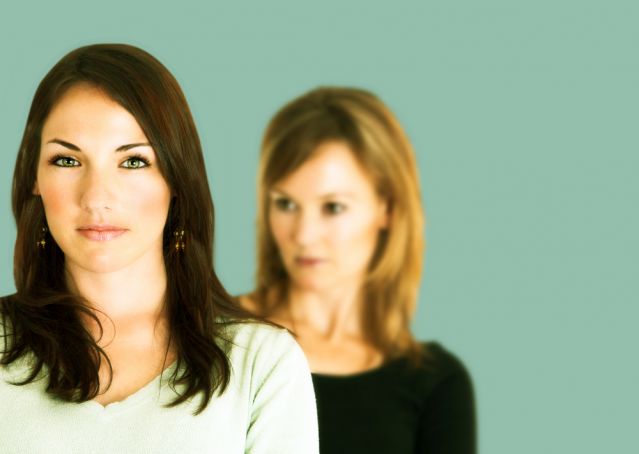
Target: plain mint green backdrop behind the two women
[[524, 117]]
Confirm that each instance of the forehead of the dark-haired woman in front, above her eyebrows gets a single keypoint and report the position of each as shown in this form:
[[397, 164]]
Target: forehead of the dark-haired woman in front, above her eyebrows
[[85, 110]]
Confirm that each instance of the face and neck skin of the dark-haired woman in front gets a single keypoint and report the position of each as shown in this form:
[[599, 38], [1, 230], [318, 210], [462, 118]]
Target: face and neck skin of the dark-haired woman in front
[[106, 205]]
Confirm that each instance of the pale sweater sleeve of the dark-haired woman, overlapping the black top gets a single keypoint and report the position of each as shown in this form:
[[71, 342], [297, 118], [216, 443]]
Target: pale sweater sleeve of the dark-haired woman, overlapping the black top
[[284, 415]]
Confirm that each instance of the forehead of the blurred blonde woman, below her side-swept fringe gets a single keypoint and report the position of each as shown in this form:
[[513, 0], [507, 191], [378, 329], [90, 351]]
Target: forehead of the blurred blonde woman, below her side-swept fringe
[[332, 169]]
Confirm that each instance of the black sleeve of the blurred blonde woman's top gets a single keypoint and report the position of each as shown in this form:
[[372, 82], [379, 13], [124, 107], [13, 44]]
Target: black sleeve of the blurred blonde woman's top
[[447, 424]]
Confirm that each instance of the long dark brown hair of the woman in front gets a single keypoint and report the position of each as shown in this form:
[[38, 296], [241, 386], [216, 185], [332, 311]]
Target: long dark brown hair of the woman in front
[[43, 315]]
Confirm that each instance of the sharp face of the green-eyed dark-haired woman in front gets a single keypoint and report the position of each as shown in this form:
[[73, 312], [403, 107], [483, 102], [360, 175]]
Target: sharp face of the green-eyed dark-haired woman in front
[[105, 200]]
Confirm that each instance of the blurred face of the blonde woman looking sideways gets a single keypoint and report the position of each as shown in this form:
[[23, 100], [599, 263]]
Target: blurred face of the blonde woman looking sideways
[[326, 218]]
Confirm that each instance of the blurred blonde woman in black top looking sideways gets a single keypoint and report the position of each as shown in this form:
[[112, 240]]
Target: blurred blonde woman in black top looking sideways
[[340, 228]]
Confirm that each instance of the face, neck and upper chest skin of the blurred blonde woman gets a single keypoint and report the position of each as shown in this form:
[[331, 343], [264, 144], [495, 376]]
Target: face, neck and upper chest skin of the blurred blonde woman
[[326, 218]]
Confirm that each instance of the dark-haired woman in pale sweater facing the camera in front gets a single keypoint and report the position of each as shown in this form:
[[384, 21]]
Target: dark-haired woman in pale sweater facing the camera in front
[[120, 337]]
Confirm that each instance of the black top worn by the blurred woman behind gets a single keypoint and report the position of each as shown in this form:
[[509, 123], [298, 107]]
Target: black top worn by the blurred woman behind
[[398, 408]]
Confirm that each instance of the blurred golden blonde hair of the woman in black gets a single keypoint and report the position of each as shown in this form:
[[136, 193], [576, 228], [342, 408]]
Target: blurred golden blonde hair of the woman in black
[[359, 119]]
